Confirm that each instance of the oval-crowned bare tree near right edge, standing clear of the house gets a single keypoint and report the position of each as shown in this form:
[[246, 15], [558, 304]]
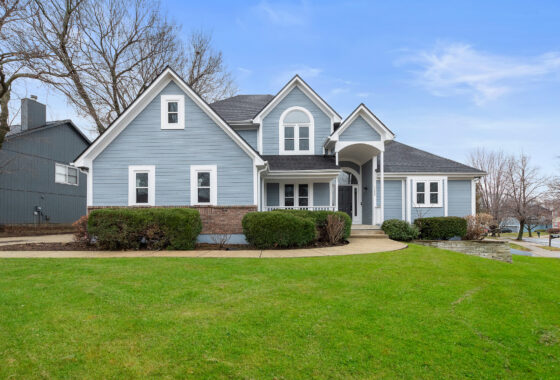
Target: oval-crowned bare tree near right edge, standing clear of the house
[[524, 184]]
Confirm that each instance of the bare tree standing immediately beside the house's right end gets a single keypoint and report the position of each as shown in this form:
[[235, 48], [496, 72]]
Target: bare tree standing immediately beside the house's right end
[[492, 187]]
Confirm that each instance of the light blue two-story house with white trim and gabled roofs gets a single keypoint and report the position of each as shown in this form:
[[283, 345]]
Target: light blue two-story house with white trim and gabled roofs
[[265, 152]]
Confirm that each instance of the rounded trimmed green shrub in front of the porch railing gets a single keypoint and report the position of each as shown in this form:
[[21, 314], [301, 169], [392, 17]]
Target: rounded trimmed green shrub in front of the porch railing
[[273, 229]]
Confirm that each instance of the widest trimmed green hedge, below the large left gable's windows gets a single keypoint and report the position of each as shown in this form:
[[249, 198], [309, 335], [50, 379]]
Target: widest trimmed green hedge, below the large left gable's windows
[[151, 228]]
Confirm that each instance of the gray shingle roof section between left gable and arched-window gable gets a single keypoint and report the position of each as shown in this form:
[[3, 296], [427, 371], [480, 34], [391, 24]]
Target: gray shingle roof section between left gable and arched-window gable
[[241, 107]]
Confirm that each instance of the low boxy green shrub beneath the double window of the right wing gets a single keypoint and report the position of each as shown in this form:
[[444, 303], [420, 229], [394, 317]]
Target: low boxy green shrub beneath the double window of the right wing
[[441, 228]]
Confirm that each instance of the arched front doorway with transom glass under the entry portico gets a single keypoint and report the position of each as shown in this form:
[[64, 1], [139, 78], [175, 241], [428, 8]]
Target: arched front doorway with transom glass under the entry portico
[[349, 194]]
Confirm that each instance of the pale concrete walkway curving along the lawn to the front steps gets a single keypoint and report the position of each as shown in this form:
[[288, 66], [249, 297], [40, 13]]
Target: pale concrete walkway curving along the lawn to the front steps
[[356, 246]]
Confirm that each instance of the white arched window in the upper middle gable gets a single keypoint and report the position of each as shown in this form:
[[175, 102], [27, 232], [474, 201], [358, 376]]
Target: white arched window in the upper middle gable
[[296, 131]]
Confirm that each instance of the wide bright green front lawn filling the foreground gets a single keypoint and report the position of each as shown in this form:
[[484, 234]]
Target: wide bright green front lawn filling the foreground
[[419, 312]]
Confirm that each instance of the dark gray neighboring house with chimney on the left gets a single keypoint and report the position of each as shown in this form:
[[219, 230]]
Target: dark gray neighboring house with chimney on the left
[[37, 185]]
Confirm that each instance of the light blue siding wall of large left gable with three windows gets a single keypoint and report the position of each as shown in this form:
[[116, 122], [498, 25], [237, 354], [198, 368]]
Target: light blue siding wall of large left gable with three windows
[[196, 163]]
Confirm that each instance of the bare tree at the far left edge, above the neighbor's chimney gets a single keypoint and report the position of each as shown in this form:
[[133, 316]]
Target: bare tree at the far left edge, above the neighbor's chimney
[[15, 52]]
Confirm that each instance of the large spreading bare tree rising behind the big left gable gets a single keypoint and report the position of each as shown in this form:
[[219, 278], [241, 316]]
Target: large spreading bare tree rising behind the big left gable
[[104, 53]]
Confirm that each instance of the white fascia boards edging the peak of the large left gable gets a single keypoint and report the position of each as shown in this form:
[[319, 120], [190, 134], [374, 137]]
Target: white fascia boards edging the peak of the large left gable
[[142, 101]]
